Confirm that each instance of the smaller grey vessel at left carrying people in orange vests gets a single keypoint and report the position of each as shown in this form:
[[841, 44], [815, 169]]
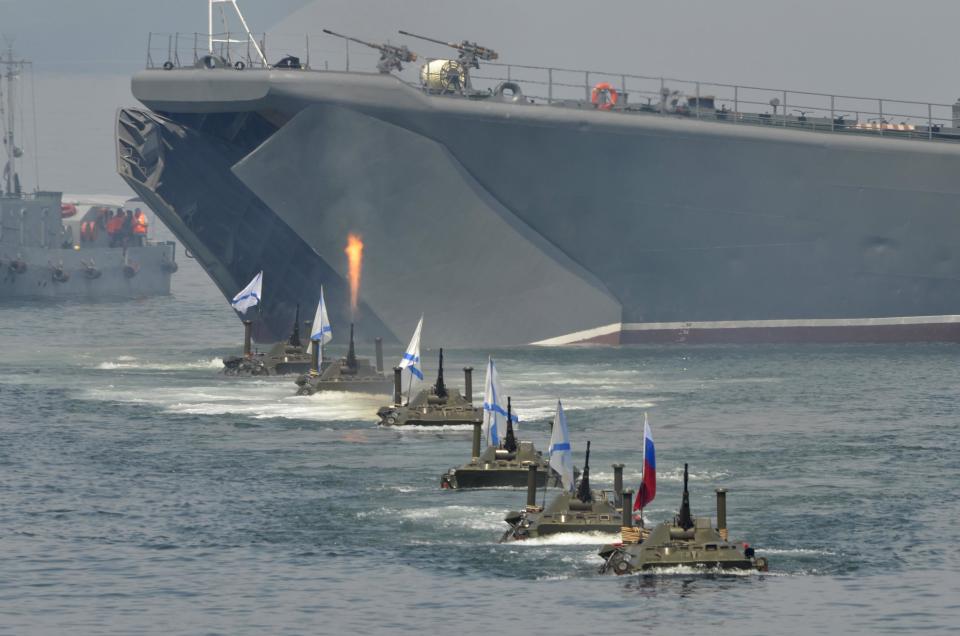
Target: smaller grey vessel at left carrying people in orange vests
[[57, 247]]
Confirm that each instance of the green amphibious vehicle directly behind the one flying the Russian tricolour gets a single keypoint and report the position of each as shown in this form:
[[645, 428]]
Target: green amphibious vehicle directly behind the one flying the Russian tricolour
[[583, 510]]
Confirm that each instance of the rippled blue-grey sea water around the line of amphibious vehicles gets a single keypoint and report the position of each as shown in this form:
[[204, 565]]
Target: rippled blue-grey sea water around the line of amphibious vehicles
[[143, 492]]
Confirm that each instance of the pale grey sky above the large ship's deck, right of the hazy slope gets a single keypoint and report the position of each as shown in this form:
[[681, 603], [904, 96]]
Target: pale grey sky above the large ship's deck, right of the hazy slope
[[862, 47]]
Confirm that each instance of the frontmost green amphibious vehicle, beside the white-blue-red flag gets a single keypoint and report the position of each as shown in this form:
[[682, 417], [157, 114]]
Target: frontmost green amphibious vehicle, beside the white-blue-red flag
[[685, 541]]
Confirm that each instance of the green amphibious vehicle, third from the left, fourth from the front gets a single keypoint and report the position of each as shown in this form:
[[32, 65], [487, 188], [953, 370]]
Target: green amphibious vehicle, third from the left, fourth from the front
[[438, 405]]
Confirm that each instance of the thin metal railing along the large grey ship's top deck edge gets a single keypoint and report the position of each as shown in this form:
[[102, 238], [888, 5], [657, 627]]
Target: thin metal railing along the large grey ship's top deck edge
[[572, 88]]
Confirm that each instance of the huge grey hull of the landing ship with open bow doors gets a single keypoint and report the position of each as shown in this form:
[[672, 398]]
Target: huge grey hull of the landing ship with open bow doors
[[576, 225]]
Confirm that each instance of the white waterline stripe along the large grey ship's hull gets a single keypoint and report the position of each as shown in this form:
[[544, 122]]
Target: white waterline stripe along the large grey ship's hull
[[614, 328]]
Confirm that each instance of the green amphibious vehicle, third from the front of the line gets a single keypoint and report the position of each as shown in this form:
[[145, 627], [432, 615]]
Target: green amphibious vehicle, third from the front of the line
[[501, 466]]
